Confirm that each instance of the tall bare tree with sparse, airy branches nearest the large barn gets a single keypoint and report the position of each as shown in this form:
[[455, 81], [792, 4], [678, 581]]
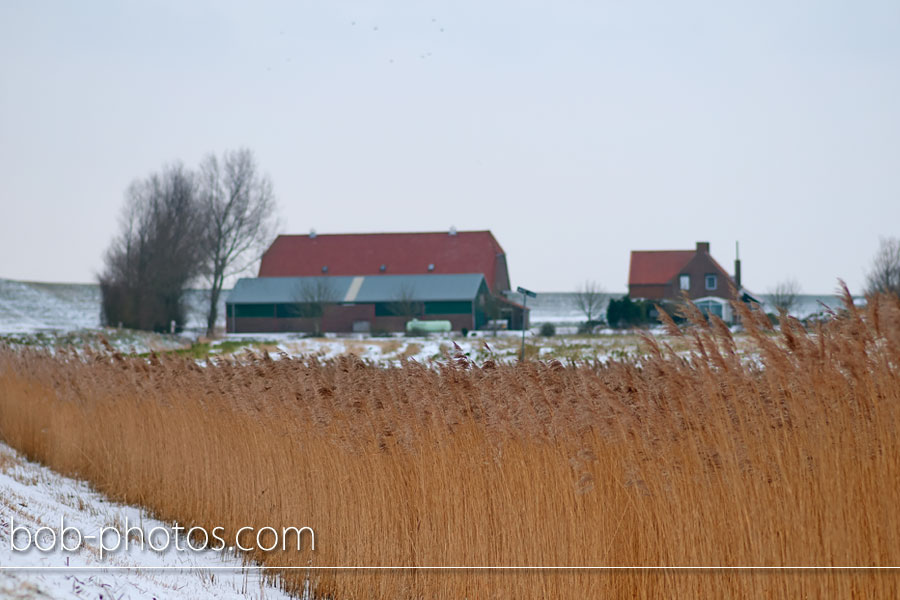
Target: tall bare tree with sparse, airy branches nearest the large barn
[[239, 212]]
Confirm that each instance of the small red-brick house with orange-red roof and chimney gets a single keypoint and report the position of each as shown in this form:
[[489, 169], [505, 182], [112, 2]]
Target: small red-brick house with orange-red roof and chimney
[[670, 274]]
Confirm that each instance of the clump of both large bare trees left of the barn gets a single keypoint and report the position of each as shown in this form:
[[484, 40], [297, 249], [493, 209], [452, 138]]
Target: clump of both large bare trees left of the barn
[[180, 226]]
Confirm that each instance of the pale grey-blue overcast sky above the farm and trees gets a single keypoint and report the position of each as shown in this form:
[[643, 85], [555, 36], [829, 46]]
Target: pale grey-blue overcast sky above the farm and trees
[[575, 131]]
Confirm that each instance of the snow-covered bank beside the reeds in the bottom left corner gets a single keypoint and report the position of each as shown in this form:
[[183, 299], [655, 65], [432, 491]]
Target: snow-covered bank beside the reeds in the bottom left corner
[[34, 496]]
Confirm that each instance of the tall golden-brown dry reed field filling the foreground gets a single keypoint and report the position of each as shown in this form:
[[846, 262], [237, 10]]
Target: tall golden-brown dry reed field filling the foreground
[[791, 460]]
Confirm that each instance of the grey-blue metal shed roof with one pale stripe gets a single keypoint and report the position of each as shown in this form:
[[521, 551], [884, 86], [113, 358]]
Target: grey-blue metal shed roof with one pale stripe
[[359, 289]]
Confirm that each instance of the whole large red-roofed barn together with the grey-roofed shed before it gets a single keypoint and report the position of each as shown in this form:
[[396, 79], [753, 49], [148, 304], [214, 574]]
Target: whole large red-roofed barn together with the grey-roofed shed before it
[[379, 281]]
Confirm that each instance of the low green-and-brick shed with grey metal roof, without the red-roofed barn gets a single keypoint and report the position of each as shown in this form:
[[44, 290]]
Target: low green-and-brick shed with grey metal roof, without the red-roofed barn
[[356, 303]]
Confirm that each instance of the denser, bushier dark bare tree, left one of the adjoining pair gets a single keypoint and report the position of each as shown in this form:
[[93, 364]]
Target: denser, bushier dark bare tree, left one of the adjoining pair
[[156, 255]]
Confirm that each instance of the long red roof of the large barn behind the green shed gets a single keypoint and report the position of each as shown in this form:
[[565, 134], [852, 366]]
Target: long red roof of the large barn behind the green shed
[[399, 253]]
